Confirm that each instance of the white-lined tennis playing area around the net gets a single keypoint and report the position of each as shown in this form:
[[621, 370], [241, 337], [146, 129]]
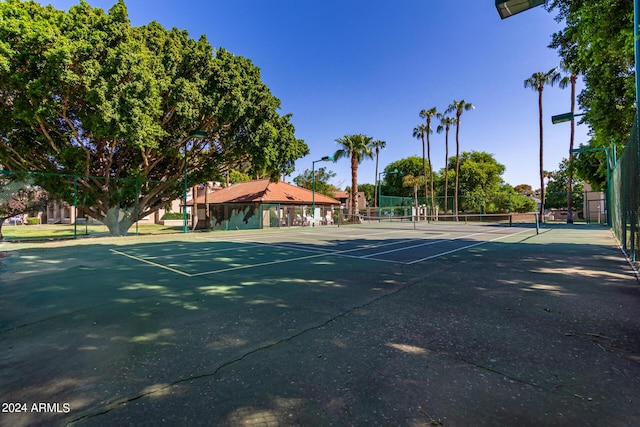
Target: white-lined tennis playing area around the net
[[385, 242]]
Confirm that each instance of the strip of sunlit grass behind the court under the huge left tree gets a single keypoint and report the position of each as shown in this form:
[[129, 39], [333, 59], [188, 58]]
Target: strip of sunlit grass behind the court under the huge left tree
[[64, 231]]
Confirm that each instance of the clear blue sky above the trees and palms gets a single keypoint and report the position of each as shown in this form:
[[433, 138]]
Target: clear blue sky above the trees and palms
[[354, 66]]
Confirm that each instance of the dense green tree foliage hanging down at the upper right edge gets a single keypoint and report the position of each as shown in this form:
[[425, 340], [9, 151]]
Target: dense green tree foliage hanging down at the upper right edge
[[597, 43]]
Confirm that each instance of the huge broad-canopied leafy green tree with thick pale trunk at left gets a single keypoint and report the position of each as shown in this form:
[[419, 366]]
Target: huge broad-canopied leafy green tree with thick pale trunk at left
[[112, 108]]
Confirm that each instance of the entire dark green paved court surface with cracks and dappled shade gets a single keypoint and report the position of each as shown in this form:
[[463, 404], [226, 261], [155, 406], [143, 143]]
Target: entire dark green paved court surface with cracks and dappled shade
[[376, 324]]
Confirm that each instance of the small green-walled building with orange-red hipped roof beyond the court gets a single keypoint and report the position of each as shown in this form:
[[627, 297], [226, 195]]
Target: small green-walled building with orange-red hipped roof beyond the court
[[263, 204]]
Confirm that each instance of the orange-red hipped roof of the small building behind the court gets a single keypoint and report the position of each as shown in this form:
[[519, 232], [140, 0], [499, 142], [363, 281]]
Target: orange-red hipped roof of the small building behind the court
[[265, 191]]
